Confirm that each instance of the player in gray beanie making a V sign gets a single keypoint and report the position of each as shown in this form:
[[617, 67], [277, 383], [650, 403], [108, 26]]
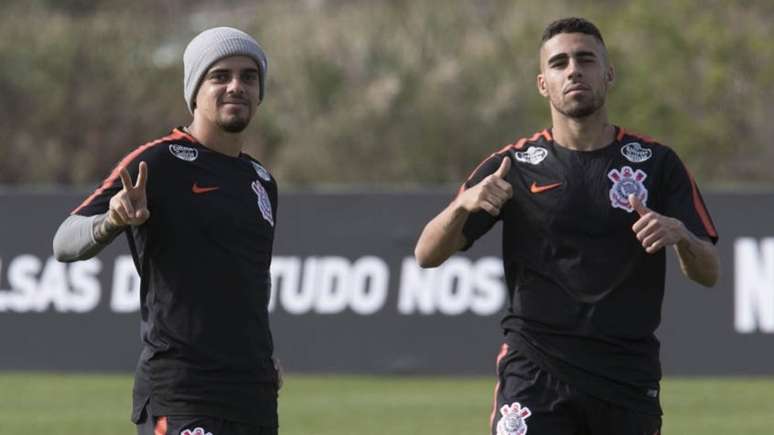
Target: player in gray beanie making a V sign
[[199, 216]]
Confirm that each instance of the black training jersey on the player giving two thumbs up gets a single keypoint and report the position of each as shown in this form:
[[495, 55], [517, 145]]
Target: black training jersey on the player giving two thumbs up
[[585, 297]]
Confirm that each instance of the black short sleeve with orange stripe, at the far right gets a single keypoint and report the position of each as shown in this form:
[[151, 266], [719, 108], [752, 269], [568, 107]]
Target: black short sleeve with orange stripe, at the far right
[[684, 201]]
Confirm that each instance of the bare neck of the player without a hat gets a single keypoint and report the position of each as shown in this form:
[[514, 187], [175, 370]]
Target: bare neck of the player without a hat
[[586, 134]]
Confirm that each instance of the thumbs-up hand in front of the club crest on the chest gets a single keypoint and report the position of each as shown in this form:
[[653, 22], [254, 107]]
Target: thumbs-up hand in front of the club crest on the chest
[[655, 230]]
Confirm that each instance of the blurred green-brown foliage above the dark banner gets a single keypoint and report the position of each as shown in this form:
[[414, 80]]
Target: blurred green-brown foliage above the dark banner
[[380, 92]]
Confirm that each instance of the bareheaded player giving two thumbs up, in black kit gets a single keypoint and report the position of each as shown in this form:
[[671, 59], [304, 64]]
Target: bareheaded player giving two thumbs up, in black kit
[[588, 209]]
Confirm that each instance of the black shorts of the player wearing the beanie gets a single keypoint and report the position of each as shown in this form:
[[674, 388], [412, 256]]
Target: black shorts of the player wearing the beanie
[[196, 425]]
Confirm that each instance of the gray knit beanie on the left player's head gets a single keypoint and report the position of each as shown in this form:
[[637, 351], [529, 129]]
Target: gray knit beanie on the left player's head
[[212, 45]]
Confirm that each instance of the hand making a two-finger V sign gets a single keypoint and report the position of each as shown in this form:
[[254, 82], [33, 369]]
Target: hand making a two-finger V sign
[[127, 207]]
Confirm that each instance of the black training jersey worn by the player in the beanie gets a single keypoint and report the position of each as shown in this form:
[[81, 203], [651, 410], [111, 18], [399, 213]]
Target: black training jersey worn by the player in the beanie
[[203, 257]]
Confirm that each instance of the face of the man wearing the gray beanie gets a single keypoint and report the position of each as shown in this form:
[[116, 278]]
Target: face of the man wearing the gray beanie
[[229, 93]]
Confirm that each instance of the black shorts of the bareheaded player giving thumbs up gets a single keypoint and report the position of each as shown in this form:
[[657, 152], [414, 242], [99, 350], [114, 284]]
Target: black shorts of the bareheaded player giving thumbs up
[[529, 400]]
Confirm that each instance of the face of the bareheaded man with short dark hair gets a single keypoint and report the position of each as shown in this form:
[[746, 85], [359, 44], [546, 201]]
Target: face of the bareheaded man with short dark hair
[[574, 74]]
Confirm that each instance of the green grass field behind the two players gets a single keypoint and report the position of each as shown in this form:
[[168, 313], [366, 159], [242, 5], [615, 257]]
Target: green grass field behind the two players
[[59, 404]]
